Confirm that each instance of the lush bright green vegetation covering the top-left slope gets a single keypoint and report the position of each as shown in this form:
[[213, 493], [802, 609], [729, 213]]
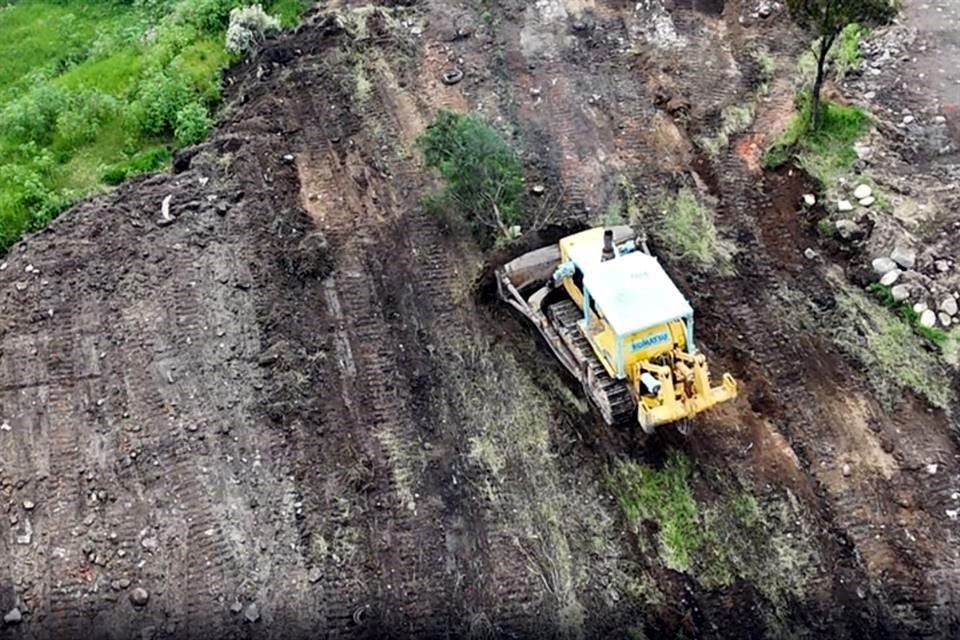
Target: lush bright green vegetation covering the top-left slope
[[95, 91]]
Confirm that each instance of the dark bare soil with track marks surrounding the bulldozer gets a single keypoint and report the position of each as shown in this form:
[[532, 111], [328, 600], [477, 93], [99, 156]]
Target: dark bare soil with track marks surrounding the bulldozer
[[288, 413]]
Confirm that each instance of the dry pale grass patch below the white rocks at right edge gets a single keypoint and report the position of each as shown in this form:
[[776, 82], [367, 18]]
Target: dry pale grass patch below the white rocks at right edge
[[892, 353]]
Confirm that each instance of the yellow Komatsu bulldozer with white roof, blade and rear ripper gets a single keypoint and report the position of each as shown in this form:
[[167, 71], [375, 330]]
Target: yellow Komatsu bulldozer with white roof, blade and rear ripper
[[618, 323]]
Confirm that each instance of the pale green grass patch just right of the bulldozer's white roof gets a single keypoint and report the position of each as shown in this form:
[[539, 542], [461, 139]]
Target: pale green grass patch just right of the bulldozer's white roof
[[688, 232]]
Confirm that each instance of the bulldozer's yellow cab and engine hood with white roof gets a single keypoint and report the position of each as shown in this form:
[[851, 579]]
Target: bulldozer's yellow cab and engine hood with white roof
[[633, 312]]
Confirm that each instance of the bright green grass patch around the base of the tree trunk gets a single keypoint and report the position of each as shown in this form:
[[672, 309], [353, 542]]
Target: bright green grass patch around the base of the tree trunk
[[826, 154]]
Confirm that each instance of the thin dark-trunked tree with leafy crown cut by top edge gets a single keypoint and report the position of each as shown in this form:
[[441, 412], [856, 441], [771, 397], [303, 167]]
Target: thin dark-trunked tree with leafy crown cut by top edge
[[828, 18]]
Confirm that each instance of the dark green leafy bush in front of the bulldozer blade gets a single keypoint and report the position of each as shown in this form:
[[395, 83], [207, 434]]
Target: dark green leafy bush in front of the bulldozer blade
[[484, 177]]
